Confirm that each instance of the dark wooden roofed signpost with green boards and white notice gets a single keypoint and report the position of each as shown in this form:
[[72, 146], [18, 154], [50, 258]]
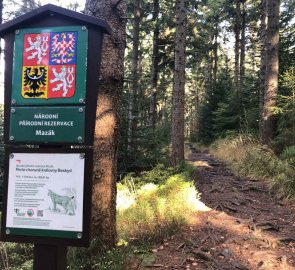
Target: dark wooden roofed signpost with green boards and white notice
[[51, 76]]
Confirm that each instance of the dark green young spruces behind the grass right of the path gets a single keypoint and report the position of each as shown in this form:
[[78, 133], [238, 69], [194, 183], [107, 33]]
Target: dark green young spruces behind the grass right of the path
[[227, 112]]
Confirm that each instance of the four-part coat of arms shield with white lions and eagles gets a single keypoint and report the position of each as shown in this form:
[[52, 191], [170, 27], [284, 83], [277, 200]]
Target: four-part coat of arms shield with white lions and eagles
[[49, 65]]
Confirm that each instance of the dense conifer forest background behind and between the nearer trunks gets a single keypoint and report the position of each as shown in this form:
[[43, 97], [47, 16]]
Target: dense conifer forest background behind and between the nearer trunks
[[225, 48]]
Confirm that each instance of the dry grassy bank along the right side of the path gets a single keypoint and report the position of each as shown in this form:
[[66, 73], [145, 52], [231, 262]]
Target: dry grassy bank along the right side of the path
[[248, 158]]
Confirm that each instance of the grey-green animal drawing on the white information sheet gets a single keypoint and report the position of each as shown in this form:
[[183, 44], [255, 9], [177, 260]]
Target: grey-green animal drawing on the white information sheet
[[68, 203]]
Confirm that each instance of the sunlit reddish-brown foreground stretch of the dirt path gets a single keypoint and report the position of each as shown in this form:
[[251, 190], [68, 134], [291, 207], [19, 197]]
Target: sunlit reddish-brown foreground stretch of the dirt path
[[217, 240]]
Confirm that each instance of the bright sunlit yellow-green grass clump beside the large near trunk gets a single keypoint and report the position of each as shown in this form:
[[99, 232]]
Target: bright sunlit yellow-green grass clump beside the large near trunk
[[153, 211]]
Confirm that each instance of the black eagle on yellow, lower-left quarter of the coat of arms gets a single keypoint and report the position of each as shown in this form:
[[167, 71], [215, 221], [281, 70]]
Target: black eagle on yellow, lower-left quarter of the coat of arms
[[34, 79]]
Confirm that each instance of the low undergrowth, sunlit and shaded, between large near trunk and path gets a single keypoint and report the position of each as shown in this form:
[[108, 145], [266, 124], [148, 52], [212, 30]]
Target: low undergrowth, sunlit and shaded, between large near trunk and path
[[151, 206]]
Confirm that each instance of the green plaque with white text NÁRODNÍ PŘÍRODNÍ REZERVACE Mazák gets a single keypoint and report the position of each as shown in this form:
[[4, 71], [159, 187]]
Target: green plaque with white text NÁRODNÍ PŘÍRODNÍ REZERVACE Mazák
[[47, 124]]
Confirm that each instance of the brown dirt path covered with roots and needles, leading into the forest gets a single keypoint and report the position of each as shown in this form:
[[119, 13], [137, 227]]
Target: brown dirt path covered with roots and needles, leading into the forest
[[245, 226]]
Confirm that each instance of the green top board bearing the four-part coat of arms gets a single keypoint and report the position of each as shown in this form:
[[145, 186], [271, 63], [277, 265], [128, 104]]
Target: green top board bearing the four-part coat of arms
[[51, 67]]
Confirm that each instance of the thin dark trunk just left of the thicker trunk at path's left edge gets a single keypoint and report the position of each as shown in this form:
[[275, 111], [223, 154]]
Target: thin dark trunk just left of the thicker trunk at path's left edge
[[154, 68]]
